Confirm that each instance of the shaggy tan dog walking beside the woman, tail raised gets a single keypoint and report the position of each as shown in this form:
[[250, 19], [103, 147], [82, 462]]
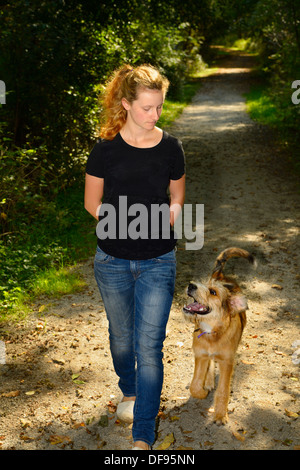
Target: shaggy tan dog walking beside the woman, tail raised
[[218, 312]]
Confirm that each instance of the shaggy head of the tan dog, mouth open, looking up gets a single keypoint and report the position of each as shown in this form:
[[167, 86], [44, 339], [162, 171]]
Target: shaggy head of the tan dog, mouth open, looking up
[[214, 302]]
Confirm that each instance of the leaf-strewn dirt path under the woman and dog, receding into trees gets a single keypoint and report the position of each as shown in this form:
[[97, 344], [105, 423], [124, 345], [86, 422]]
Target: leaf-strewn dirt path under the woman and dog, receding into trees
[[58, 388]]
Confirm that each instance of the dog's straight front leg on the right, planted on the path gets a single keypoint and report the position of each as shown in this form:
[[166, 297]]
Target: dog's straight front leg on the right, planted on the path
[[222, 392]]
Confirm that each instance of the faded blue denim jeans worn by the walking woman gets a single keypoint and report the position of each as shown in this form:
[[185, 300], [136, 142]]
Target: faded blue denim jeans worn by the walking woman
[[137, 296]]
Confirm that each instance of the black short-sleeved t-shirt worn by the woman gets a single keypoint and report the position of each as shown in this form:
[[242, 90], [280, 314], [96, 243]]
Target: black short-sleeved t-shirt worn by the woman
[[134, 177]]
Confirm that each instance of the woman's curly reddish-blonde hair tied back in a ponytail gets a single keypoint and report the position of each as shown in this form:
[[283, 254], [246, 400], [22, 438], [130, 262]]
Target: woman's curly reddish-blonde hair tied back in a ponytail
[[125, 83]]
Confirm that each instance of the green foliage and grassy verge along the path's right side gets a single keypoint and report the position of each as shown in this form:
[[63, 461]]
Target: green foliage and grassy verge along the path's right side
[[272, 29]]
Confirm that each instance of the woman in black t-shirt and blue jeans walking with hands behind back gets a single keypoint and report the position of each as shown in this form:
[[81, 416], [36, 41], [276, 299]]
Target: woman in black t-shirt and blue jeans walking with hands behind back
[[136, 163]]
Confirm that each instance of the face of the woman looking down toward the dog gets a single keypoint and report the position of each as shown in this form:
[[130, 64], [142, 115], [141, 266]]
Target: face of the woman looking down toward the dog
[[145, 111]]
